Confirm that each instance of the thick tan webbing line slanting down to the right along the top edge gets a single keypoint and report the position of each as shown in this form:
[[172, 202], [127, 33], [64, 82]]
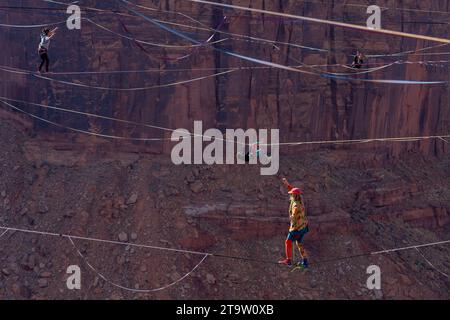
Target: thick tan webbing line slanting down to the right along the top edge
[[329, 22]]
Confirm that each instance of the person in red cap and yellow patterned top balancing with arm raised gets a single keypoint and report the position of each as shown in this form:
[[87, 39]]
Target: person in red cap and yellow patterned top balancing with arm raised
[[298, 227]]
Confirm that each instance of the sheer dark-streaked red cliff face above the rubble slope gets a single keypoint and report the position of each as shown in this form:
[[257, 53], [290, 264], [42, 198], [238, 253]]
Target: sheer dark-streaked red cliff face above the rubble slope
[[303, 107]]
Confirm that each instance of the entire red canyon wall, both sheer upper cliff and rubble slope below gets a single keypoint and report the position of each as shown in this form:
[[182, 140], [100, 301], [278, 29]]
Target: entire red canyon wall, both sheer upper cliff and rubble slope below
[[360, 198]]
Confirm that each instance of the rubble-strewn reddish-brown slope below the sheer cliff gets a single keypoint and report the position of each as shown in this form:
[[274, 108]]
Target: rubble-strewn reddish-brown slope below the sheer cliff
[[226, 210]]
